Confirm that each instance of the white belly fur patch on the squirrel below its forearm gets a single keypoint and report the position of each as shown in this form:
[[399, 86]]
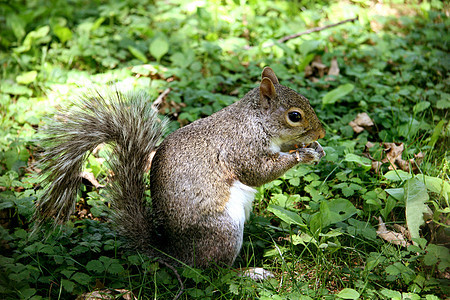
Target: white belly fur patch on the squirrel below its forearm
[[238, 208]]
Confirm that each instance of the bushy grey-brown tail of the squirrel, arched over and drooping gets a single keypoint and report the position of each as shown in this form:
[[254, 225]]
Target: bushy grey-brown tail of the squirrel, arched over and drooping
[[125, 121]]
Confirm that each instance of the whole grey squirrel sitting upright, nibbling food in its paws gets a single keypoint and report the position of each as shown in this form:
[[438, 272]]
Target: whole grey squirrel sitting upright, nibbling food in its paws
[[202, 176]]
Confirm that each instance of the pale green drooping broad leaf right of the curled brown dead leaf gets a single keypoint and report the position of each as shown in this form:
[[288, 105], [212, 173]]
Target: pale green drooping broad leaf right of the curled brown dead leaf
[[415, 197]]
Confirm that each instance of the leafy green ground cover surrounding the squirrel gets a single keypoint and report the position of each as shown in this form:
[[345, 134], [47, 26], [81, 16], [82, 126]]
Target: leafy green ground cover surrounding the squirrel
[[316, 226]]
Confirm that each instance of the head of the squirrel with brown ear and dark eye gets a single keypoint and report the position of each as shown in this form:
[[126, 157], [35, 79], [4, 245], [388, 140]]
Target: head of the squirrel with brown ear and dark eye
[[292, 121]]
